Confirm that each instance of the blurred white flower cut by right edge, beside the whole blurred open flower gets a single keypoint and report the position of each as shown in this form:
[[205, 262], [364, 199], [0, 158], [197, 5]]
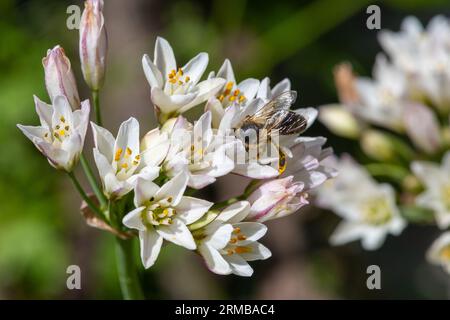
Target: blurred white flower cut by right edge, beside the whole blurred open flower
[[436, 196]]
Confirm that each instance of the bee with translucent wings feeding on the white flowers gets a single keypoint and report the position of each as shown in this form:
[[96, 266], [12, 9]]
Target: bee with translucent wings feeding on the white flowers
[[275, 118]]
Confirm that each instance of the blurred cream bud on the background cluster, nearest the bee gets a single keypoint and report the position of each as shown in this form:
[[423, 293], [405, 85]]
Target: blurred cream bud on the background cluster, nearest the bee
[[339, 121]]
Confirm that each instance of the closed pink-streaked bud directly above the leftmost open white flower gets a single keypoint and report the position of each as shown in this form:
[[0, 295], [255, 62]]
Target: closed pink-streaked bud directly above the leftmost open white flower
[[59, 78]]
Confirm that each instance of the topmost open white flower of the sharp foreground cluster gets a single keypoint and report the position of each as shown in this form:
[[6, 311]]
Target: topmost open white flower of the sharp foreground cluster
[[176, 90]]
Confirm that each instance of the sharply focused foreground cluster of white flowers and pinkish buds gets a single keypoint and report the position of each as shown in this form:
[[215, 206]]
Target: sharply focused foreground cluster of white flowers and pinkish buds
[[149, 183]]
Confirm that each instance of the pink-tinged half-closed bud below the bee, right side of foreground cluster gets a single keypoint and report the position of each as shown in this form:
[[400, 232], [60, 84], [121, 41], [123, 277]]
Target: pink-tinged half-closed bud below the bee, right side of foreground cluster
[[275, 199]]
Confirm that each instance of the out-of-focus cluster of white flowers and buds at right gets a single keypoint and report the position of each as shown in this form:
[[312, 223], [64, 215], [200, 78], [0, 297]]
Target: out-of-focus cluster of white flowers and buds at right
[[401, 118]]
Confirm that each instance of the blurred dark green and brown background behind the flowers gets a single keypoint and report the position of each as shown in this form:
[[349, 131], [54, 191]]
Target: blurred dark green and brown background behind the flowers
[[41, 230]]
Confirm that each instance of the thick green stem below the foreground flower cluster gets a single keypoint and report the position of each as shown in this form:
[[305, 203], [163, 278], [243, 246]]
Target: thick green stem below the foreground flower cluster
[[126, 267]]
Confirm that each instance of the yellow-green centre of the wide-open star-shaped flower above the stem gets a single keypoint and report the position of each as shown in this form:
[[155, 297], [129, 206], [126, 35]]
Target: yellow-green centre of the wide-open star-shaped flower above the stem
[[159, 213]]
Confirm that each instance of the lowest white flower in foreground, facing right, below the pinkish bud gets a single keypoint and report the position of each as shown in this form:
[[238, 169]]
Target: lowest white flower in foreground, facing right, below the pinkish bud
[[227, 243]]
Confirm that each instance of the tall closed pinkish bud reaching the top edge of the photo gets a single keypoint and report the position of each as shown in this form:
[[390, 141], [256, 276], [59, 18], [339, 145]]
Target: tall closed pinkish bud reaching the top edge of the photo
[[93, 44]]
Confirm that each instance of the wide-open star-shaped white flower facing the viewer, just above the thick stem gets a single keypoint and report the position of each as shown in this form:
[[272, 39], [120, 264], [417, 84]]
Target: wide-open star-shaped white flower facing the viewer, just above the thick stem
[[164, 213]]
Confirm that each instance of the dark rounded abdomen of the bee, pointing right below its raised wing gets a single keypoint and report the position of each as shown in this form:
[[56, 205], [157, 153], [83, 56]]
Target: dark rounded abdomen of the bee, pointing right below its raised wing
[[286, 122]]
